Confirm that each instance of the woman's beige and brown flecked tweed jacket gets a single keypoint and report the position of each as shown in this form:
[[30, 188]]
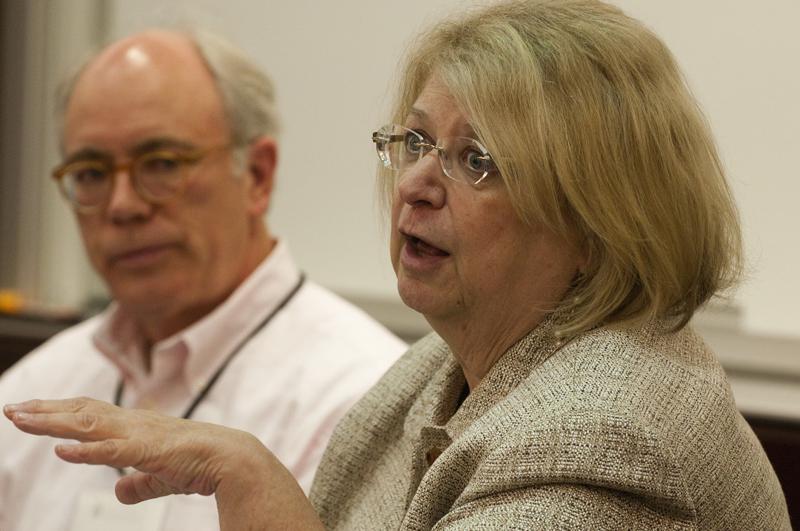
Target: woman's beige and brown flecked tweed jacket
[[616, 429]]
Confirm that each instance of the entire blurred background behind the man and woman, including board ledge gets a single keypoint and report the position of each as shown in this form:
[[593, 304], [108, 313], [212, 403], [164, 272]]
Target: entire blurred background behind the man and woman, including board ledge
[[333, 65]]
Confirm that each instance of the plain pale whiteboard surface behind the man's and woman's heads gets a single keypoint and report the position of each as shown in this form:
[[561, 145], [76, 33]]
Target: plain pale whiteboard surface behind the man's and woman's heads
[[333, 62]]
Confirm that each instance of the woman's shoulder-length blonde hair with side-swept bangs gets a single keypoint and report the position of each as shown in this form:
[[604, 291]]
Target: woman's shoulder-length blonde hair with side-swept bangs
[[598, 138]]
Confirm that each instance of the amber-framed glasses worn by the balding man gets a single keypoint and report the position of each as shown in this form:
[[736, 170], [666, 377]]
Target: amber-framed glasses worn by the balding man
[[156, 176]]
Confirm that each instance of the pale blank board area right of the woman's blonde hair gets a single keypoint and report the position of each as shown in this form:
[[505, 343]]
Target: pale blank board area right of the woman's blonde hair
[[741, 59]]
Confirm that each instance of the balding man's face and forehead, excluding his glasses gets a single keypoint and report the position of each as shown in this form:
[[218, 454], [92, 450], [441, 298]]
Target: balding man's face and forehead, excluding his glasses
[[172, 261]]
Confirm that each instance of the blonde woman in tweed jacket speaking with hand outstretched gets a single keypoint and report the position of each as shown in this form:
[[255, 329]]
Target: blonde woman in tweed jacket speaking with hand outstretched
[[558, 214]]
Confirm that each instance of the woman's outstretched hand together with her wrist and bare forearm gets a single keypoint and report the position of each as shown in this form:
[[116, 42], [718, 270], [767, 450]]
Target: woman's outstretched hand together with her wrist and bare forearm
[[174, 456]]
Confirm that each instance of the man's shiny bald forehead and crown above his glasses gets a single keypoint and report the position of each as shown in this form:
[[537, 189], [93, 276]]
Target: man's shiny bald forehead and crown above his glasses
[[155, 83]]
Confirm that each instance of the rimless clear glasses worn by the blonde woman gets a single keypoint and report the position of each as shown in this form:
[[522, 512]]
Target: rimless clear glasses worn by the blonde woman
[[462, 159]]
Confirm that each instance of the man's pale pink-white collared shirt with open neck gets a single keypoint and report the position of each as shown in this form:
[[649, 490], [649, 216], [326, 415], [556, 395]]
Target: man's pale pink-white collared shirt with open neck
[[288, 385]]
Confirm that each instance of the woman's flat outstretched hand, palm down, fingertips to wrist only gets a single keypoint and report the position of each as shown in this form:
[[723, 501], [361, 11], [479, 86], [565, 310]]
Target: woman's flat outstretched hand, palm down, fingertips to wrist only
[[171, 455]]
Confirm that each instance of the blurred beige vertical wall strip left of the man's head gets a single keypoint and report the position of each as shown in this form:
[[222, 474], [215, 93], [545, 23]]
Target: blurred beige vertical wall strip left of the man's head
[[41, 254]]
